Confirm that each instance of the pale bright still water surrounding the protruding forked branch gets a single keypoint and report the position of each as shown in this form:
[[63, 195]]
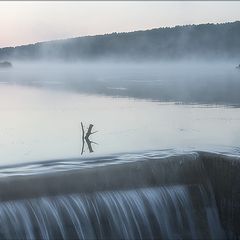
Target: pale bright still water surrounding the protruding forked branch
[[42, 124]]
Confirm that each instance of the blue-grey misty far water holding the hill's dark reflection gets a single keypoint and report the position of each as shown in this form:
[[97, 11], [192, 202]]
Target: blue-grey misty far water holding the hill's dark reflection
[[213, 82]]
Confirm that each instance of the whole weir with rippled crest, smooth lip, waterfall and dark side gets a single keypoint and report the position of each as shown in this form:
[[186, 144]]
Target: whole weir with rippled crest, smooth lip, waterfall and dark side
[[192, 195]]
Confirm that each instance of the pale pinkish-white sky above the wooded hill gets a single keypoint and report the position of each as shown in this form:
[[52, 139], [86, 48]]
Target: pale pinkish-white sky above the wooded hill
[[30, 22]]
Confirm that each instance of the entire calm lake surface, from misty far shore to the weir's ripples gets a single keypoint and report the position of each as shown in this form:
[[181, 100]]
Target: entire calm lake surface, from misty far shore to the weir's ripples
[[133, 106]]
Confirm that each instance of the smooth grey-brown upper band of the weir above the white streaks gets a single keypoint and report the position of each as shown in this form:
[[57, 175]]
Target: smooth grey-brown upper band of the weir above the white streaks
[[182, 169]]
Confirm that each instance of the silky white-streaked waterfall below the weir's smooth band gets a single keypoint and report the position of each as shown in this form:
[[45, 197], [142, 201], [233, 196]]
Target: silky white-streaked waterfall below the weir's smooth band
[[167, 212]]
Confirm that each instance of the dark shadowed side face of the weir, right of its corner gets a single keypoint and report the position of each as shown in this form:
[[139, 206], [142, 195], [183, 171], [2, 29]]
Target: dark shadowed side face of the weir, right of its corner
[[224, 175]]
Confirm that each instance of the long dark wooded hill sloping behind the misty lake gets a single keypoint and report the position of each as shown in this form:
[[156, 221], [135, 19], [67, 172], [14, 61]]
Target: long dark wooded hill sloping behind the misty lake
[[196, 41]]
